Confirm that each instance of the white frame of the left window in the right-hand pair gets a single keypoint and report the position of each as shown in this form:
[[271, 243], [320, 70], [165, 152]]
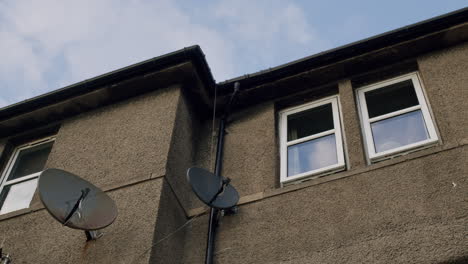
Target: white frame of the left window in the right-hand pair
[[284, 144]]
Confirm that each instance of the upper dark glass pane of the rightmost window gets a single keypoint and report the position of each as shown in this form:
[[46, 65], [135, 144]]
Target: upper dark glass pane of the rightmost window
[[391, 98]]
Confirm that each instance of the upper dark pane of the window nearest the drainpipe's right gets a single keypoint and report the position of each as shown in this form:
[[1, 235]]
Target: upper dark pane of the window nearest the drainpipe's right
[[310, 122]]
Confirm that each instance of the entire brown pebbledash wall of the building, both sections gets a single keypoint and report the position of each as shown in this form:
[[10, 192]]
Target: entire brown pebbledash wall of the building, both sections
[[410, 209]]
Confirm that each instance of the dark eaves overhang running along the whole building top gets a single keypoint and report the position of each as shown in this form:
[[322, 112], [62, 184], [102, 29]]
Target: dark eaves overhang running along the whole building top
[[189, 68]]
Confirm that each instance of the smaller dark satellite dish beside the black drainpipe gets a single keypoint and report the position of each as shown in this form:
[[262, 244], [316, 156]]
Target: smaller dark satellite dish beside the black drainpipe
[[212, 190]]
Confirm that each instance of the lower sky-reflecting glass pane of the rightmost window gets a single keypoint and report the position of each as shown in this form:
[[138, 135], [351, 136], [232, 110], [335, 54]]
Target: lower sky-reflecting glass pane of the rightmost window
[[399, 131]]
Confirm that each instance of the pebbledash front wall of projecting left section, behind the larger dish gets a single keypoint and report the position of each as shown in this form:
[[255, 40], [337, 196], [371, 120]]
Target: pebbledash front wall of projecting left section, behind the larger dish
[[123, 149]]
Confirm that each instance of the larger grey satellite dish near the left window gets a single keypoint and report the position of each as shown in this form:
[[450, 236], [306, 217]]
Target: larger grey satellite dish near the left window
[[75, 202]]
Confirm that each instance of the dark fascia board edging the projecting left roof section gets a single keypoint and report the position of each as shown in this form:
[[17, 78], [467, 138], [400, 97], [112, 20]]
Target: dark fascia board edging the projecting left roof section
[[192, 54]]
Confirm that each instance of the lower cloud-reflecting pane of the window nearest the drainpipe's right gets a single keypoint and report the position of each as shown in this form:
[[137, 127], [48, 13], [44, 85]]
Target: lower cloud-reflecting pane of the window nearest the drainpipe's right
[[312, 155]]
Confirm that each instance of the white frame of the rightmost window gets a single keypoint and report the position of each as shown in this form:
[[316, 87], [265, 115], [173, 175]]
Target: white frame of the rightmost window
[[366, 121]]
